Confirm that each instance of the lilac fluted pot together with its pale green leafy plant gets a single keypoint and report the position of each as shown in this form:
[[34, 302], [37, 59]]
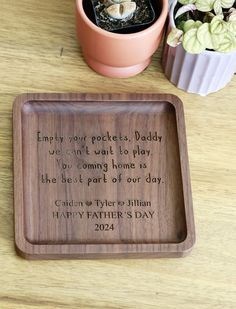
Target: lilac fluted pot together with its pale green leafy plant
[[200, 52]]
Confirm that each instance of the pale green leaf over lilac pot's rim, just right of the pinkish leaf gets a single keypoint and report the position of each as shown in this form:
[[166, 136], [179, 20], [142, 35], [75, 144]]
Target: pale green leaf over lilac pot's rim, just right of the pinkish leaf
[[191, 43]]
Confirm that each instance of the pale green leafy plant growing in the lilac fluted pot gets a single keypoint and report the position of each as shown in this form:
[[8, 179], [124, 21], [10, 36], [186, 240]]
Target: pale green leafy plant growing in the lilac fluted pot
[[204, 24]]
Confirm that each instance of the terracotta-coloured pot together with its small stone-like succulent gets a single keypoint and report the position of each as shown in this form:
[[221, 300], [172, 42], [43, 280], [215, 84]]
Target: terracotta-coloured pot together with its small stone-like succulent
[[121, 54]]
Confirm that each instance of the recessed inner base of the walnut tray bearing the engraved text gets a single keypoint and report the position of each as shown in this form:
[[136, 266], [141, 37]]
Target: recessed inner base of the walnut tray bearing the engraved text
[[101, 173]]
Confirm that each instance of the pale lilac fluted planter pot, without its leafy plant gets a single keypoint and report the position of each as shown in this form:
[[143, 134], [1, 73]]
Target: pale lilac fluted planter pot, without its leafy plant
[[203, 73]]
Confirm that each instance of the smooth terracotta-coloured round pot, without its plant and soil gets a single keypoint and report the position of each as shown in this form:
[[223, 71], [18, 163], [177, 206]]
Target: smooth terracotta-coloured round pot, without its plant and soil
[[118, 55]]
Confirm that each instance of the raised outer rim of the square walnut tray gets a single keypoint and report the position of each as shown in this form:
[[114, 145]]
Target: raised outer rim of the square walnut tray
[[85, 251]]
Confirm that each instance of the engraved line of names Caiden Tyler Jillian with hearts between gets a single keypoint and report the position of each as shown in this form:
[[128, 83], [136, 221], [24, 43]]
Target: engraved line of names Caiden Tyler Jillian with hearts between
[[103, 203]]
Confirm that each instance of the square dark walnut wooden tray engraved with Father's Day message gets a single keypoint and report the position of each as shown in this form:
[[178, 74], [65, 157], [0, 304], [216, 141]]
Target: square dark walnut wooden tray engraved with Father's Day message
[[101, 176]]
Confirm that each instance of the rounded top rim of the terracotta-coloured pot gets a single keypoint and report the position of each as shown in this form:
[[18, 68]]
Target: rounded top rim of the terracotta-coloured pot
[[163, 15]]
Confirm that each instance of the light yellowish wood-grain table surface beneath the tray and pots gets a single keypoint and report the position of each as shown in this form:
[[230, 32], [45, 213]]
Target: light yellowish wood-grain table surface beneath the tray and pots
[[39, 53]]
